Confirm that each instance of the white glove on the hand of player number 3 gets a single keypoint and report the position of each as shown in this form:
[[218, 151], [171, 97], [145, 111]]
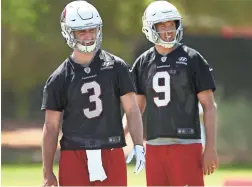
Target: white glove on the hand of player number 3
[[139, 153]]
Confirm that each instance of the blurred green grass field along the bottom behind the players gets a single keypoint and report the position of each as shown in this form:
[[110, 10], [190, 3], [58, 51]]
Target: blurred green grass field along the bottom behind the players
[[30, 175]]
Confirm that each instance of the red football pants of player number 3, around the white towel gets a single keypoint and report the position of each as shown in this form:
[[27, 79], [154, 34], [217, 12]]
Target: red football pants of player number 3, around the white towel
[[73, 169]]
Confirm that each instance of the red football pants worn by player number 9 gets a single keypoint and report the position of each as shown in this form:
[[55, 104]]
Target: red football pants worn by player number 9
[[174, 165]]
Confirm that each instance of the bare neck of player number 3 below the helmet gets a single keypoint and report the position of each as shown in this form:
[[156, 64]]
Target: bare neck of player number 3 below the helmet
[[82, 58]]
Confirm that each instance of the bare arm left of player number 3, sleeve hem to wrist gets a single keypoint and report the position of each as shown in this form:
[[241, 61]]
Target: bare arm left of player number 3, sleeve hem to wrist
[[50, 139]]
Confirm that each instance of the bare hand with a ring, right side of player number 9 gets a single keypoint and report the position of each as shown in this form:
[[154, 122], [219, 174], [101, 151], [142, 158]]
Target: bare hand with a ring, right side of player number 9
[[210, 161]]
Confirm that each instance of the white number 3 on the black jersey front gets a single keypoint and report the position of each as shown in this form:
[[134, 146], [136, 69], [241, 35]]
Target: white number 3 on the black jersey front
[[93, 98]]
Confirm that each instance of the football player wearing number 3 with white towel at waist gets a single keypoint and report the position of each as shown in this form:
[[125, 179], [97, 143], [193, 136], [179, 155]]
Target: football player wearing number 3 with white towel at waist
[[88, 88]]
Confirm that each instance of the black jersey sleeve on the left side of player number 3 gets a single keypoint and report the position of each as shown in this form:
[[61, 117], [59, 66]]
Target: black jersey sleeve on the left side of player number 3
[[53, 95]]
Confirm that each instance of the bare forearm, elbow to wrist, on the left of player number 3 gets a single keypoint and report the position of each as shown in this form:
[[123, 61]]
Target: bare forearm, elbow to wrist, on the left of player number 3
[[49, 146]]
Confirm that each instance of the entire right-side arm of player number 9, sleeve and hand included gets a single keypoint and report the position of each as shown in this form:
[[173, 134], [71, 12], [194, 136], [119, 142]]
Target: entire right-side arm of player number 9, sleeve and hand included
[[205, 86]]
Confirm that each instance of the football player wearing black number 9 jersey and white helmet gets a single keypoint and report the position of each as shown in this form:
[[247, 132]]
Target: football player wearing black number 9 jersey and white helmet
[[171, 78]]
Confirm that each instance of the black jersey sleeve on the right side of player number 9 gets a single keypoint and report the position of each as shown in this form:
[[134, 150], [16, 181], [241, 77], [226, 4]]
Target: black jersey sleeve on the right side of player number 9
[[203, 75]]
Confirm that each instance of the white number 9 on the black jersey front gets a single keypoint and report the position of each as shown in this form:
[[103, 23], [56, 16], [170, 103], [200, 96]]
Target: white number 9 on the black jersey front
[[165, 88]]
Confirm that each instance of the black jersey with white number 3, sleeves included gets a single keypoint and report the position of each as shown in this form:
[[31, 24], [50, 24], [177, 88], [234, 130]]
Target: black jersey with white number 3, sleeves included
[[90, 99]]
